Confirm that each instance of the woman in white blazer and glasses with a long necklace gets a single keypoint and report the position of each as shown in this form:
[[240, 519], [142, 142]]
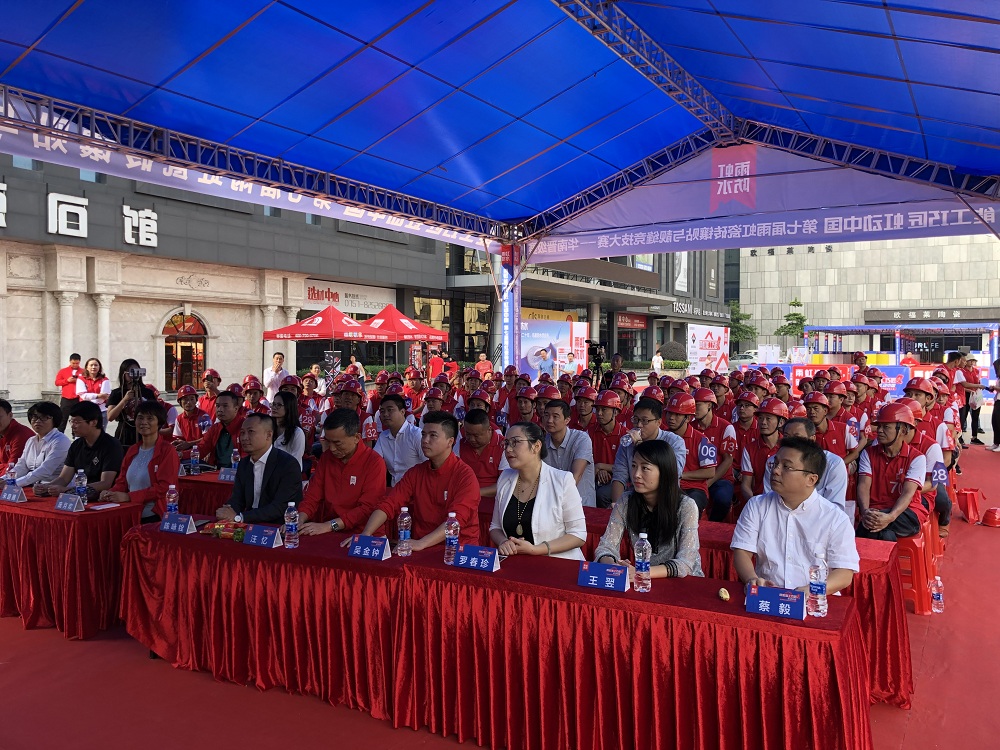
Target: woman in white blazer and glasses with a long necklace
[[538, 509]]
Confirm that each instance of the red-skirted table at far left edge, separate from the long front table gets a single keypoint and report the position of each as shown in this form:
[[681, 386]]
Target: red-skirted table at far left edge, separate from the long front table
[[60, 569]]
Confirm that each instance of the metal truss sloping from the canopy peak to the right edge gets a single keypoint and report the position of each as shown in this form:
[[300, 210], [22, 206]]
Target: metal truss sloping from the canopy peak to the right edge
[[872, 160]]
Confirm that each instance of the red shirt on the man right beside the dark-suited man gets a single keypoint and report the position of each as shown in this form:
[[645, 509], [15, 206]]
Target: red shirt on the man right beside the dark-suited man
[[347, 491]]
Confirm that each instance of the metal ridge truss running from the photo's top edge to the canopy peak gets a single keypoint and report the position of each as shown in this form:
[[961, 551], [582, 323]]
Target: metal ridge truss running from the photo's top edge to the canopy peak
[[622, 35]]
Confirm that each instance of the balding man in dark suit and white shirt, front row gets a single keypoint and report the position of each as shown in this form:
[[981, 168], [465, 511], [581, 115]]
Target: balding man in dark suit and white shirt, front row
[[266, 481]]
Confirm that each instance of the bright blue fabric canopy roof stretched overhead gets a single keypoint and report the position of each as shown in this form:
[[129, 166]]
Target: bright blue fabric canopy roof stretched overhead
[[504, 108]]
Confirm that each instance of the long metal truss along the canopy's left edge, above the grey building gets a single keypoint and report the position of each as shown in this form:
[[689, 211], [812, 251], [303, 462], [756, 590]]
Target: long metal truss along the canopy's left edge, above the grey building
[[78, 123]]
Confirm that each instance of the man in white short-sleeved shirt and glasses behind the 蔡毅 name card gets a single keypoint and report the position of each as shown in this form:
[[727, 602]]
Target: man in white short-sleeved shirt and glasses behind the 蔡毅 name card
[[785, 528]]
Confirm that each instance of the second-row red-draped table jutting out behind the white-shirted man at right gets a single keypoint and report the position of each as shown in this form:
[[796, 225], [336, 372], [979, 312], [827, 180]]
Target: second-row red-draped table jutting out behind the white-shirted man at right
[[878, 590]]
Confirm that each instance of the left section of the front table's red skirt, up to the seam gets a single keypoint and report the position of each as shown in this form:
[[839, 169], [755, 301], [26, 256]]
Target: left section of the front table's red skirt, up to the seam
[[309, 620]]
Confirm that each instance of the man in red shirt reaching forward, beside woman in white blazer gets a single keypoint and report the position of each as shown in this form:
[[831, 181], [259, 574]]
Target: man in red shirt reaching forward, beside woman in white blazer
[[440, 485]]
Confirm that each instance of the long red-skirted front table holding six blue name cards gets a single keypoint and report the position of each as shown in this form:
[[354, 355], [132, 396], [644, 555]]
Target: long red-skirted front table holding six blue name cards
[[520, 658]]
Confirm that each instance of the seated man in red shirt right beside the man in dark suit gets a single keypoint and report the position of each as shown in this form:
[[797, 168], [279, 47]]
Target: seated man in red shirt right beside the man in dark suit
[[348, 479]]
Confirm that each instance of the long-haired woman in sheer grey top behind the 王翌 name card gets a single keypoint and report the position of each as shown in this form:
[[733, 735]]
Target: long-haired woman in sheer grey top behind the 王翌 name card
[[657, 507]]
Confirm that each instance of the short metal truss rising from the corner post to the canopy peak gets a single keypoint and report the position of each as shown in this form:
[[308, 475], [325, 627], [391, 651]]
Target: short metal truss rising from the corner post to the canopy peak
[[642, 171]]
